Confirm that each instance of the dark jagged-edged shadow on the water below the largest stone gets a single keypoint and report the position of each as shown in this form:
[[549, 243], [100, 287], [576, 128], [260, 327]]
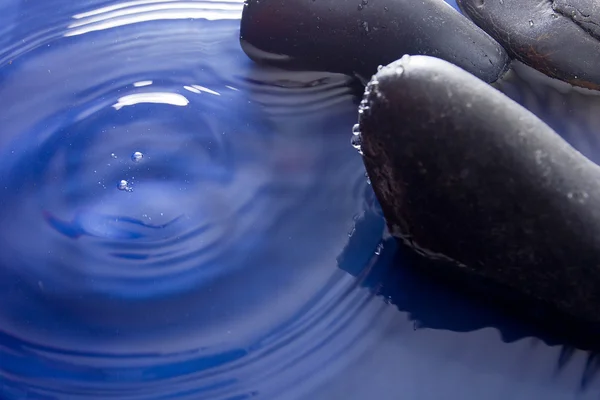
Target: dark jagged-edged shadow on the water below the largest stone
[[435, 297]]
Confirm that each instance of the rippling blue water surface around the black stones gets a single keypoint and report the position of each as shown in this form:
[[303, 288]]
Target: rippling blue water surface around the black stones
[[245, 255]]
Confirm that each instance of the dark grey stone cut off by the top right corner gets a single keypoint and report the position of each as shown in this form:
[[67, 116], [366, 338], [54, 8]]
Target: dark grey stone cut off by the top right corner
[[559, 38]]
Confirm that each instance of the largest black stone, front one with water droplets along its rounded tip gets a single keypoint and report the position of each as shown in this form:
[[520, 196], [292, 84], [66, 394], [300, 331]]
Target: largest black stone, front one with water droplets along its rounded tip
[[469, 177]]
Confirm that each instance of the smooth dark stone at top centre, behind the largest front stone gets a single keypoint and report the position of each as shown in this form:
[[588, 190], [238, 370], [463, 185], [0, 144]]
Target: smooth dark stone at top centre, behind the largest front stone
[[356, 36]]
